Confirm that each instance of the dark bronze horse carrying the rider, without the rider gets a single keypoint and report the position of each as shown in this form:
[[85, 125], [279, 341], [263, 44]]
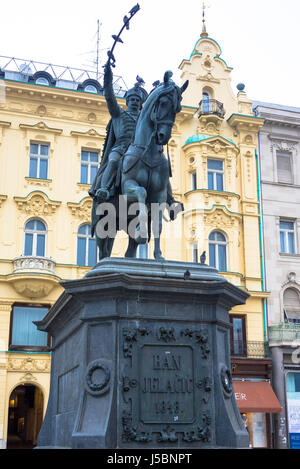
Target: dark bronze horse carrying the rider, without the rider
[[144, 174]]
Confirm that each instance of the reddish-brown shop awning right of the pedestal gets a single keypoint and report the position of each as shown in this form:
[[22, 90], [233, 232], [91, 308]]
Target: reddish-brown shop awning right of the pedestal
[[256, 396]]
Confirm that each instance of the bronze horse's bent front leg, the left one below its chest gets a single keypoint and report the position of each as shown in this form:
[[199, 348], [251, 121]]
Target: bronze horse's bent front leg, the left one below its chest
[[137, 229]]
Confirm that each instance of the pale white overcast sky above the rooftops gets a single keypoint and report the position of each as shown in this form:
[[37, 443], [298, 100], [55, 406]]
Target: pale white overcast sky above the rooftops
[[258, 38]]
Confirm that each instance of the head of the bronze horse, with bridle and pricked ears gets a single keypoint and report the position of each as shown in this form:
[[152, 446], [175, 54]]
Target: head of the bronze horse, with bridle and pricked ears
[[166, 99]]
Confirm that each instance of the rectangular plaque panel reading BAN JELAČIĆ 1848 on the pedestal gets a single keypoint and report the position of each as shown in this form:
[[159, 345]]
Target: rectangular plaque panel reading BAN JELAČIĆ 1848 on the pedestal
[[166, 384]]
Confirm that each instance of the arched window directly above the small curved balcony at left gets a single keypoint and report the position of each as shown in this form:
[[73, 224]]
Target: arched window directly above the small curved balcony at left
[[35, 238]]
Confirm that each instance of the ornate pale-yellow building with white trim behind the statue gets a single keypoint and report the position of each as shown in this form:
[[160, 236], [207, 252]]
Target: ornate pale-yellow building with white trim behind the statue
[[50, 140]]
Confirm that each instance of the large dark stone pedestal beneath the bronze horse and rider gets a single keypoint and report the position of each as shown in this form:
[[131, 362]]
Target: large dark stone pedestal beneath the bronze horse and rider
[[141, 359]]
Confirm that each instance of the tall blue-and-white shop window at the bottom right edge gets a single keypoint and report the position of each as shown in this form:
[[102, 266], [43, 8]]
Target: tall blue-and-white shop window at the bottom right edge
[[293, 400]]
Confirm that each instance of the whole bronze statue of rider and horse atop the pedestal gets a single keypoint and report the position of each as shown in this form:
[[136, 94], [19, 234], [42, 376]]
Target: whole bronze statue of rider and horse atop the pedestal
[[141, 173]]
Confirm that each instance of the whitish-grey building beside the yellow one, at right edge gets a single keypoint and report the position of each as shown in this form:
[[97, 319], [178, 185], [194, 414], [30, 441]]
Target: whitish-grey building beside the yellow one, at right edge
[[280, 201]]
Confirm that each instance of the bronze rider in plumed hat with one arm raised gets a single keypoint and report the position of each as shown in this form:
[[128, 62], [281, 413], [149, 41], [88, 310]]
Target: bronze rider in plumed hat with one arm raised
[[120, 134]]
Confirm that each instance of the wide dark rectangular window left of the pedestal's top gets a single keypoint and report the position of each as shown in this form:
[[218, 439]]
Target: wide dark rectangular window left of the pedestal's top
[[24, 334]]
